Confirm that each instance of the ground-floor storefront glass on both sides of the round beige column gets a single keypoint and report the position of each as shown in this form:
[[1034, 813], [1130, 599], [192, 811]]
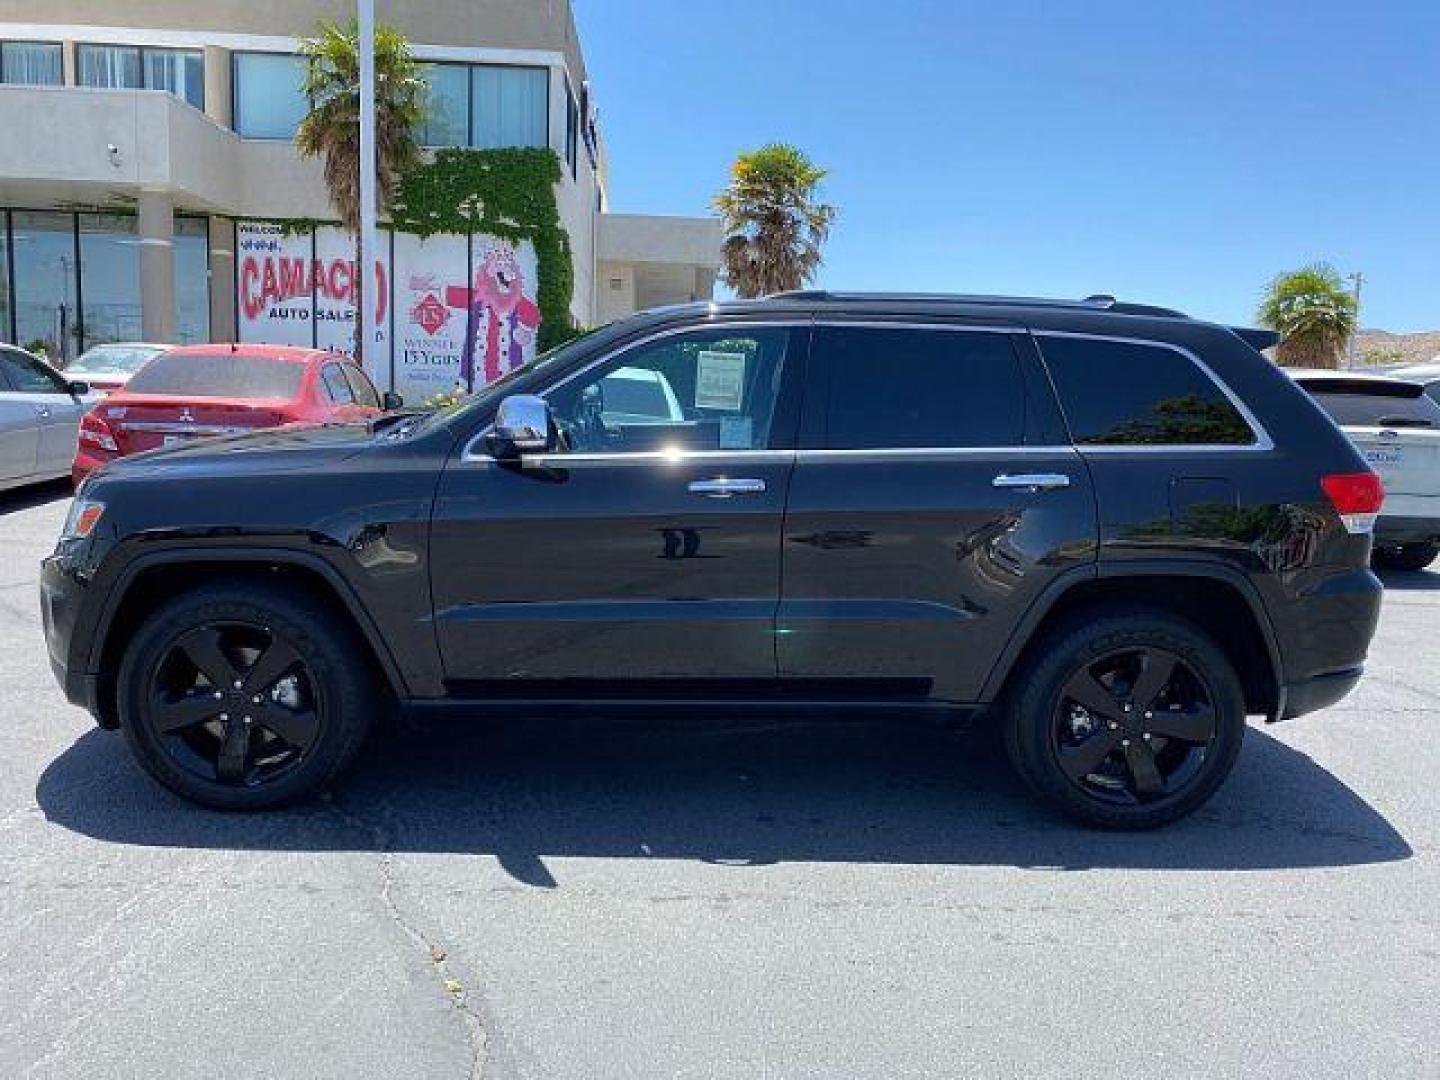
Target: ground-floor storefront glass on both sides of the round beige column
[[74, 282]]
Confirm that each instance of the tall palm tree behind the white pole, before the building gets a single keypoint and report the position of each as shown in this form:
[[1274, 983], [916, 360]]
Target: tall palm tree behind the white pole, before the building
[[332, 129]]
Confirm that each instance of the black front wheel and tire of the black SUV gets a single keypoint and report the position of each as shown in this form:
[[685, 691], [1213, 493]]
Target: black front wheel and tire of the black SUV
[[191, 669]]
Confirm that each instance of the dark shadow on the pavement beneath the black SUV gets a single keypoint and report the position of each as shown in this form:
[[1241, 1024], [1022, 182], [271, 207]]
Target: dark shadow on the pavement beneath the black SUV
[[761, 796]]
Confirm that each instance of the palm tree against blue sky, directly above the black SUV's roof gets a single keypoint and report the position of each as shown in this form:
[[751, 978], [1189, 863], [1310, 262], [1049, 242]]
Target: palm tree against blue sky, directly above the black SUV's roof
[[774, 227]]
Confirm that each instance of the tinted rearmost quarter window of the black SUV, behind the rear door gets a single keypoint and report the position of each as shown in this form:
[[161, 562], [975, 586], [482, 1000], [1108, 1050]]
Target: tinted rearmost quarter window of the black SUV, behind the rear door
[[1122, 394]]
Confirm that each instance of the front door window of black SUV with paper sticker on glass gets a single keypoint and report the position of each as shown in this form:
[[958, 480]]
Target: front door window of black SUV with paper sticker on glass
[[703, 391]]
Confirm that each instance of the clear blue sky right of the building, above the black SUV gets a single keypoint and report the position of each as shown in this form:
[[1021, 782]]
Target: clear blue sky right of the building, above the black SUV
[[1177, 152]]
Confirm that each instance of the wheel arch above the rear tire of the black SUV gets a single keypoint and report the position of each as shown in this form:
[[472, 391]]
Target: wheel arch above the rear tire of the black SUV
[[1216, 598]]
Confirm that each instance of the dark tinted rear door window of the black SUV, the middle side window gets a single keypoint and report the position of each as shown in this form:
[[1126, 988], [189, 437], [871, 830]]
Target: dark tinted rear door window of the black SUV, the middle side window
[[921, 388]]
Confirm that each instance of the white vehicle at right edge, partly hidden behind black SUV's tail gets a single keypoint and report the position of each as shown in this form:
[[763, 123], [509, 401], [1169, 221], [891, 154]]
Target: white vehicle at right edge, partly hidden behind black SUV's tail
[[1398, 427]]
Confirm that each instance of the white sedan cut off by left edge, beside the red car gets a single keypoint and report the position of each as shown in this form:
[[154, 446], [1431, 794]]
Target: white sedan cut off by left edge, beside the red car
[[40, 418]]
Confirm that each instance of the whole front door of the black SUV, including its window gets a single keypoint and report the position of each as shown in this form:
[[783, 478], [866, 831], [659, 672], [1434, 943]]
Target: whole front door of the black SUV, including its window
[[647, 546]]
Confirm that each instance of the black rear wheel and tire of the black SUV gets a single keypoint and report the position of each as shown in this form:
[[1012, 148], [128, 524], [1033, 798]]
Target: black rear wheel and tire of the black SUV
[[1163, 757]]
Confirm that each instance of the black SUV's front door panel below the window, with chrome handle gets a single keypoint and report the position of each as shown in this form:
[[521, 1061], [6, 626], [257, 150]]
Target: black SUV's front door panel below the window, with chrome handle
[[608, 571]]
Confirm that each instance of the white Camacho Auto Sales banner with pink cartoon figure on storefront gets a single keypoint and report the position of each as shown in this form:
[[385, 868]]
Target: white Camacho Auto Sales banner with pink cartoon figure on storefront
[[464, 309]]
